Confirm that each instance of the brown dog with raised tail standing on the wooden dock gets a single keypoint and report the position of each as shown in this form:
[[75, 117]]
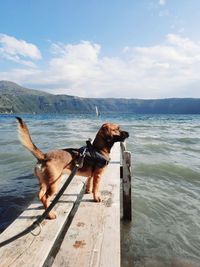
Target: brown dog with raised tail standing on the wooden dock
[[51, 165]]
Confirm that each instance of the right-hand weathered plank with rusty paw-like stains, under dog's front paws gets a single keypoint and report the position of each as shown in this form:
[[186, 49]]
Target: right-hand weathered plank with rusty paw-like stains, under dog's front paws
[[93, 238]]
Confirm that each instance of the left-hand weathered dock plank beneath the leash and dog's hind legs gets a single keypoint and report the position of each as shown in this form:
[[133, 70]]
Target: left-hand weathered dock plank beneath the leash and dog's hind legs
[[33, 249]]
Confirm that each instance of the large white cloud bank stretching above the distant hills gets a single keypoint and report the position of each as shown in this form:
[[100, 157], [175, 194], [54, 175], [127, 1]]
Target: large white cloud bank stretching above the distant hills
[[168, 69]]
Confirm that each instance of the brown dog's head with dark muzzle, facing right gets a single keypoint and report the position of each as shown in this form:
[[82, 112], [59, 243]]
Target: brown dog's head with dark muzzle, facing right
[[112, 133]]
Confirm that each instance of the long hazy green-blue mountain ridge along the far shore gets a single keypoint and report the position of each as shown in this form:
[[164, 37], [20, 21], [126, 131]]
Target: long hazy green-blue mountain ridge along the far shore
[[17, 99]]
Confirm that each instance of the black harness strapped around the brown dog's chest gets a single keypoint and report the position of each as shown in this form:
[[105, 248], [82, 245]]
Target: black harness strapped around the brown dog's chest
[[93, 157]]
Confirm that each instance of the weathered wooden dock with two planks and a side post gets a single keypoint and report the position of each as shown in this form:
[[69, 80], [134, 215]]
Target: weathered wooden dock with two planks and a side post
[[85, 233]]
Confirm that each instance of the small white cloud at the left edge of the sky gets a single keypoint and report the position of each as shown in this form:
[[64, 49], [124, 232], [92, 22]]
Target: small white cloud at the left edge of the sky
[[18, 50]]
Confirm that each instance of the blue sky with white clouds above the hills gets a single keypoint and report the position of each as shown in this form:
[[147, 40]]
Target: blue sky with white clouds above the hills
[[102, 48]]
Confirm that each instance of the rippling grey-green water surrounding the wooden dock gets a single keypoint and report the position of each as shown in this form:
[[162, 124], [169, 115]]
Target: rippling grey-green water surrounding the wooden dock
[[165, 226]]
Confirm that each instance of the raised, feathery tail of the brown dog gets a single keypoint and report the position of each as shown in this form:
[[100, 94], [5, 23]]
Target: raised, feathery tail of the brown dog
[[26, 140]]
